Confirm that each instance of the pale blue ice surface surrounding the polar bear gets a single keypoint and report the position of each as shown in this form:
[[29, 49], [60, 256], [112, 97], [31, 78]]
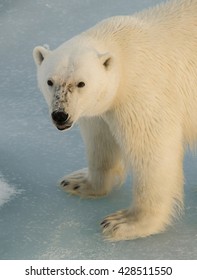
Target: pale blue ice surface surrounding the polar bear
[[41, 221]]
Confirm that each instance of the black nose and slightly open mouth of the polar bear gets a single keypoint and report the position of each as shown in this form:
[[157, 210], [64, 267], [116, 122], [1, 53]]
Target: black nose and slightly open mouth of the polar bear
[[61, 119]]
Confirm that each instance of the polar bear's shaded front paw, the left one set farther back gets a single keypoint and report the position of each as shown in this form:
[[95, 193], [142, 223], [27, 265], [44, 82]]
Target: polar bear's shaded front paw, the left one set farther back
[[78, 183]]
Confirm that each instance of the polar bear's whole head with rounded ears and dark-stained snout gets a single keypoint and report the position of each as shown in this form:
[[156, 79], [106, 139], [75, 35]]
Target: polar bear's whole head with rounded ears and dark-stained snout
[[76, 81]]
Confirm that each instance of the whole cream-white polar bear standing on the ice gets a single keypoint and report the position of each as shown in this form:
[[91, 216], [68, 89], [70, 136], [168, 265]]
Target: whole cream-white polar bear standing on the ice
[[131, 84]]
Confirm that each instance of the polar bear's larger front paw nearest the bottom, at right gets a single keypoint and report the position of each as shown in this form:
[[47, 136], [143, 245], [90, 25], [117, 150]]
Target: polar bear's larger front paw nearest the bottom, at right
[[126, 225]]
